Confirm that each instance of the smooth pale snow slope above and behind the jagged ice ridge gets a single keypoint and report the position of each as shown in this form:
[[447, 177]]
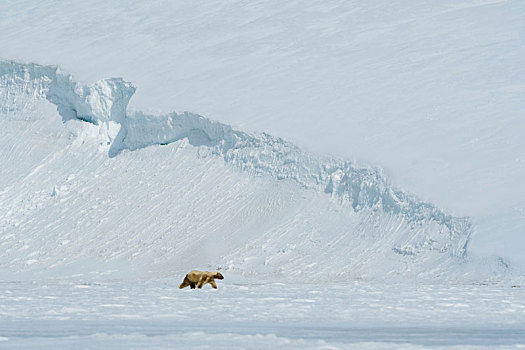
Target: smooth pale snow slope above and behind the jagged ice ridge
[[429, 91]]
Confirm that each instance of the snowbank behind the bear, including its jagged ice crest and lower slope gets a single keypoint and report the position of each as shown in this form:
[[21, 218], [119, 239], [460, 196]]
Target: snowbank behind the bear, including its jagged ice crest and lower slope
[[250, 203]]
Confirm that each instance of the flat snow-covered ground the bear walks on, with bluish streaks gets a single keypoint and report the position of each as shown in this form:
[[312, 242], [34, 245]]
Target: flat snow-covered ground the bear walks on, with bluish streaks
[[346, 315]]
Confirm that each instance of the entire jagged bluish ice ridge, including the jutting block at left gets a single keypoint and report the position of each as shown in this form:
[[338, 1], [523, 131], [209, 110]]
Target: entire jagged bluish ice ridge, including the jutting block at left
[[104, 104]]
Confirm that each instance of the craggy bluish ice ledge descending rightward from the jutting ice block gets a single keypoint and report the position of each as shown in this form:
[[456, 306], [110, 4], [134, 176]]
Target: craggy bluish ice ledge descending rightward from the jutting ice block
[[264, 154]]
